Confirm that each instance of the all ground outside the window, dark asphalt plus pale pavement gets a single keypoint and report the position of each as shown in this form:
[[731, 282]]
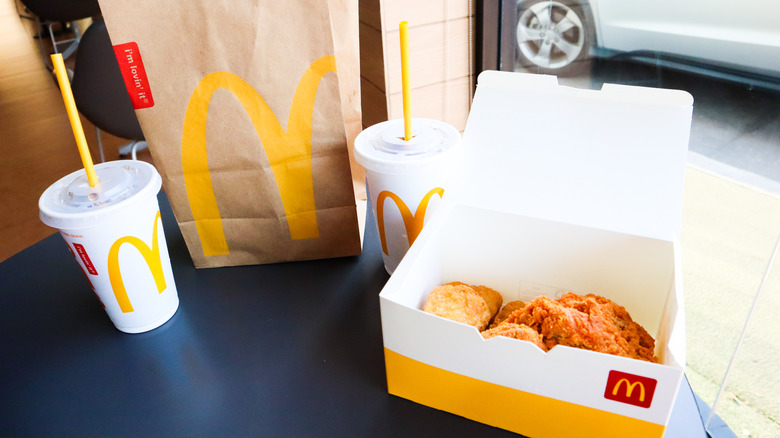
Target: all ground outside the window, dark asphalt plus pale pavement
[[731, 222]]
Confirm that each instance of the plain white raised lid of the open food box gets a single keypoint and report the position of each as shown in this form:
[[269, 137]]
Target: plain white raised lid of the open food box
[[612, 158]]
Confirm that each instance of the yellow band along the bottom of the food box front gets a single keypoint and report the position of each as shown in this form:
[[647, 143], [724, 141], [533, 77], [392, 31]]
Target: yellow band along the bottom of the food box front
[[510, 409]]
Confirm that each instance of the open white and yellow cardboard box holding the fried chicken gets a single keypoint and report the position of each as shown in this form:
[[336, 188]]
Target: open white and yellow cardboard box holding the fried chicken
[[562, 190]]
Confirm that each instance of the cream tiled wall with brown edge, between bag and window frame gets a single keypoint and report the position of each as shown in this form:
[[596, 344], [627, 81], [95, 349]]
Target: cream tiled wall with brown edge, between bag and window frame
[[440, 59]]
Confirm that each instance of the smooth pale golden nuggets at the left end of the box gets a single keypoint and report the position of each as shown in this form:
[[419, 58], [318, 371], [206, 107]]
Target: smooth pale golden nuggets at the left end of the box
[[472, 305]]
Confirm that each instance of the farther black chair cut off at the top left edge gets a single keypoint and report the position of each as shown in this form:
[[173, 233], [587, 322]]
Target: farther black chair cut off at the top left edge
[[50, 12]]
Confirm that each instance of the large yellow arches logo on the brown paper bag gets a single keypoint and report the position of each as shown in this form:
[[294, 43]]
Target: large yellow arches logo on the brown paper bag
[[288, 152]]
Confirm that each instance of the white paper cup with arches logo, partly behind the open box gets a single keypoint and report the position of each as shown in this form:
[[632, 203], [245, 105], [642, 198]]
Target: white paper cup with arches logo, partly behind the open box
[[406, 179]]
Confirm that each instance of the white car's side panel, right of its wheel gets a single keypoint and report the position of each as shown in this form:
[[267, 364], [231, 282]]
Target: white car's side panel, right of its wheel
[[733, 33]]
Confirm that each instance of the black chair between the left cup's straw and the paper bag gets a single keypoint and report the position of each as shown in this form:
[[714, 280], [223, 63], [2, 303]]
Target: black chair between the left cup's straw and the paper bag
[[100, 93]]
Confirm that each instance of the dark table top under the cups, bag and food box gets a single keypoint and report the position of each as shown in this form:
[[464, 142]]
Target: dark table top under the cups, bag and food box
[[290, 349]]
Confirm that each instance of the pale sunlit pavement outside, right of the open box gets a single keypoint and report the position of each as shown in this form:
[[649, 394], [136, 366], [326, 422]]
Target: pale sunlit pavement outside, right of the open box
[[728, 234]]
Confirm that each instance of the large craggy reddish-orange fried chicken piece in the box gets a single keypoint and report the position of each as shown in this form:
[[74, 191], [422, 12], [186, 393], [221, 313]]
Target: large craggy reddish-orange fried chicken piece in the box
[[590, 321]]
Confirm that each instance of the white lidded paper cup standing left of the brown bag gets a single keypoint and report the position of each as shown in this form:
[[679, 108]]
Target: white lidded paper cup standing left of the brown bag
[[115, 233]]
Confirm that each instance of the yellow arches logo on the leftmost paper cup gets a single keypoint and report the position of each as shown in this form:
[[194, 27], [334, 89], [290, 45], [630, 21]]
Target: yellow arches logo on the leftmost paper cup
[[151, 257]]
